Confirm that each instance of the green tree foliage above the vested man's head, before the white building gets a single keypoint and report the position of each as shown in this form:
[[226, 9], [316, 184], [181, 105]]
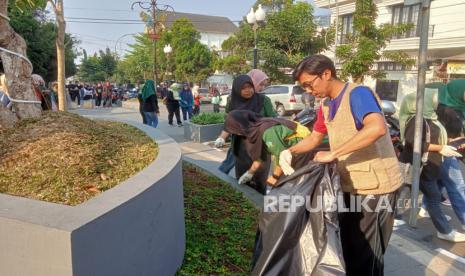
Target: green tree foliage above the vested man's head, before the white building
[[365, 47]]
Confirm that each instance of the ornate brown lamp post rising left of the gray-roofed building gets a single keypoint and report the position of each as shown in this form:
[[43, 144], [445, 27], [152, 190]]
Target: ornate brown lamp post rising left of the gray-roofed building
[[154, 24]]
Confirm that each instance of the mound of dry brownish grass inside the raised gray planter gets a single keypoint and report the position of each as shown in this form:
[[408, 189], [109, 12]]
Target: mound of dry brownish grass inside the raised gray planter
[[67, 159]]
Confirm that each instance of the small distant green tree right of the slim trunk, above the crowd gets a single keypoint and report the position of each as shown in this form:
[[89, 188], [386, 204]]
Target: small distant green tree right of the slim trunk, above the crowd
[[98, 67]]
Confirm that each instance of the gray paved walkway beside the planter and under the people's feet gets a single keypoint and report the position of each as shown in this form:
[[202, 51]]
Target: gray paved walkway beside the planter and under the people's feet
[[412, 251]]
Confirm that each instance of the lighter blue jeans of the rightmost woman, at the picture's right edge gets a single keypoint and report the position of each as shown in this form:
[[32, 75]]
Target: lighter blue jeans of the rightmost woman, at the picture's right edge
[[452, 180]]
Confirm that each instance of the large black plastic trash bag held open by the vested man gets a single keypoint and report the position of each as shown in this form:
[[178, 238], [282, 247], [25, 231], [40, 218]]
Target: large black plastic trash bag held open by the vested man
[[304, 241]]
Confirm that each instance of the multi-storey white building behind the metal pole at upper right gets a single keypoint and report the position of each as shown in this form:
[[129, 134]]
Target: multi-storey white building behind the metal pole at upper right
[[446, 45]]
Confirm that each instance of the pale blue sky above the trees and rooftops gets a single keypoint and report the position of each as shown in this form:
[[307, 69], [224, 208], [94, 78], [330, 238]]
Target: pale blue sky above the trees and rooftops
[[96, 36]]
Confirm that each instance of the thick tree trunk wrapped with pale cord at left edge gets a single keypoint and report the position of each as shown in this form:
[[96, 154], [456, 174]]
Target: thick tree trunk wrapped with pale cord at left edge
[[17, 72]]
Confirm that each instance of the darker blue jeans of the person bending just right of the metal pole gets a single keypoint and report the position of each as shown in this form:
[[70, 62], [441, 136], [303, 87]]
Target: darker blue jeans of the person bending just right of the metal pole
[[432, 200]]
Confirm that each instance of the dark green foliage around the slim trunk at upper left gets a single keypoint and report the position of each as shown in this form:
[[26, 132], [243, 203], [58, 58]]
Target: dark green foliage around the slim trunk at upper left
[[40, 39]]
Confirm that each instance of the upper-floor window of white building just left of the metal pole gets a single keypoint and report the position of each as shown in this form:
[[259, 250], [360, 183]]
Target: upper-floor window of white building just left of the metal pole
[[407, 14]]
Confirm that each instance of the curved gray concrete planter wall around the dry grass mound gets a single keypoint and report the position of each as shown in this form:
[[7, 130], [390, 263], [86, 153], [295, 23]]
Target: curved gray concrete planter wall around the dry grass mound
[[136, 228]]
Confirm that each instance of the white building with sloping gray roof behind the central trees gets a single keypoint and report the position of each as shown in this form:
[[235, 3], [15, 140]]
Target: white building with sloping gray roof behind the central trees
[[213, 29]]
